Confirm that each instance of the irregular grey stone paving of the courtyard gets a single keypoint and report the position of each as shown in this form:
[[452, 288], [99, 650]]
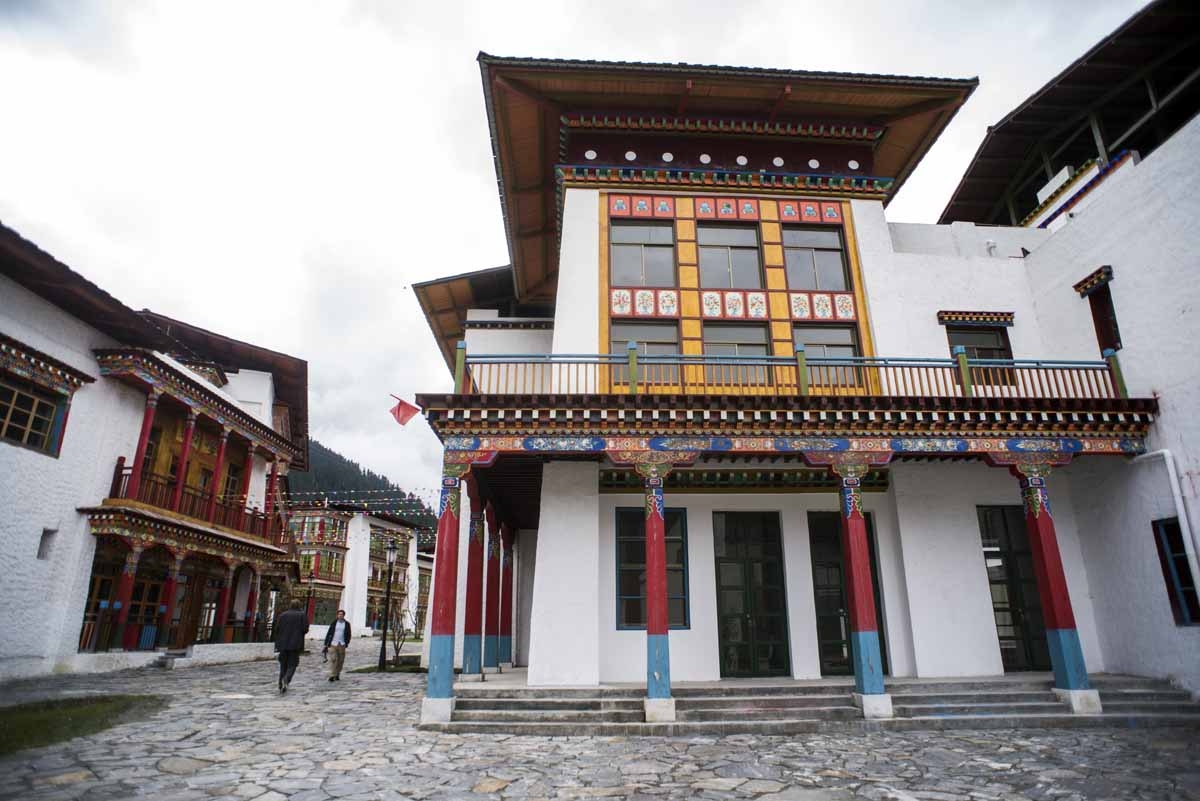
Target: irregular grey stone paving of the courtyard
[[227, 734]]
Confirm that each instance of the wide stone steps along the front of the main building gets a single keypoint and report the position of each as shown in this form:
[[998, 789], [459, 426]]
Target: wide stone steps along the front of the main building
[[803, 708]]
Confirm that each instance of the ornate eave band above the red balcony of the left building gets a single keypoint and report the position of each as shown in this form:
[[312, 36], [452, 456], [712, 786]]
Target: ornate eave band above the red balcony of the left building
[[146, 368]]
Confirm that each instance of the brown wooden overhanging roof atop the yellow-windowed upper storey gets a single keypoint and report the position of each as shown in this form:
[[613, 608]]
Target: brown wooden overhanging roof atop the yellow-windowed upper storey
[[526, 99]]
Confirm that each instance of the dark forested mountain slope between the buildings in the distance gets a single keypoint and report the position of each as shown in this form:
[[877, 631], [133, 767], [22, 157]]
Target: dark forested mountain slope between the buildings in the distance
[[332, 475]]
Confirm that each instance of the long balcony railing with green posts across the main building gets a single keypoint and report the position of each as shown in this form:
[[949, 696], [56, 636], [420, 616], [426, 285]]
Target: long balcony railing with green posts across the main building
[[776, 376]]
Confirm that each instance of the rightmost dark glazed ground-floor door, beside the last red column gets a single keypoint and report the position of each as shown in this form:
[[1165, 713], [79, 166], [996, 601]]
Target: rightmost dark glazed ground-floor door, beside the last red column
[[1015, 589]]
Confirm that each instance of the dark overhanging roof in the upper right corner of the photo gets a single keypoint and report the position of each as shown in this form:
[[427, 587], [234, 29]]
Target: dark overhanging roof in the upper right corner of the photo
[[1154, 34]]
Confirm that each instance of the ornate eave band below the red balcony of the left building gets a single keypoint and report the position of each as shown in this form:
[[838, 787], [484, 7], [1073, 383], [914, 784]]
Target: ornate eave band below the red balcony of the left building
[[136, 526]]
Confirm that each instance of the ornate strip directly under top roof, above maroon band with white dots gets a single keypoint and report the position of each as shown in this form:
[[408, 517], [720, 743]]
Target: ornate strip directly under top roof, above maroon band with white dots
[[661, 123]]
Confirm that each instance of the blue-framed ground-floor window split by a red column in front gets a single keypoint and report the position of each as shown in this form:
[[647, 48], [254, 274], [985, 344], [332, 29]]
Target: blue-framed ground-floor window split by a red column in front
[[632, 568]]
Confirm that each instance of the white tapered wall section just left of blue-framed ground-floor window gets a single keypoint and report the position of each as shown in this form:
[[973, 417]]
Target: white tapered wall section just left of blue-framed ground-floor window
[[566, 615]]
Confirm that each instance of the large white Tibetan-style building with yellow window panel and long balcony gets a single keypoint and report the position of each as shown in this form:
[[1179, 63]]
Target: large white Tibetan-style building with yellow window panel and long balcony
[[739, 425]]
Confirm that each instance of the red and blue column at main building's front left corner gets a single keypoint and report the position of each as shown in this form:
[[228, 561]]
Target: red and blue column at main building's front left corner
[[439, 702]]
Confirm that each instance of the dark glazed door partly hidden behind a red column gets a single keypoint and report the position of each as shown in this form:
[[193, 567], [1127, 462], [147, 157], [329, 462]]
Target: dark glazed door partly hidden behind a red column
[[830, 594]]
